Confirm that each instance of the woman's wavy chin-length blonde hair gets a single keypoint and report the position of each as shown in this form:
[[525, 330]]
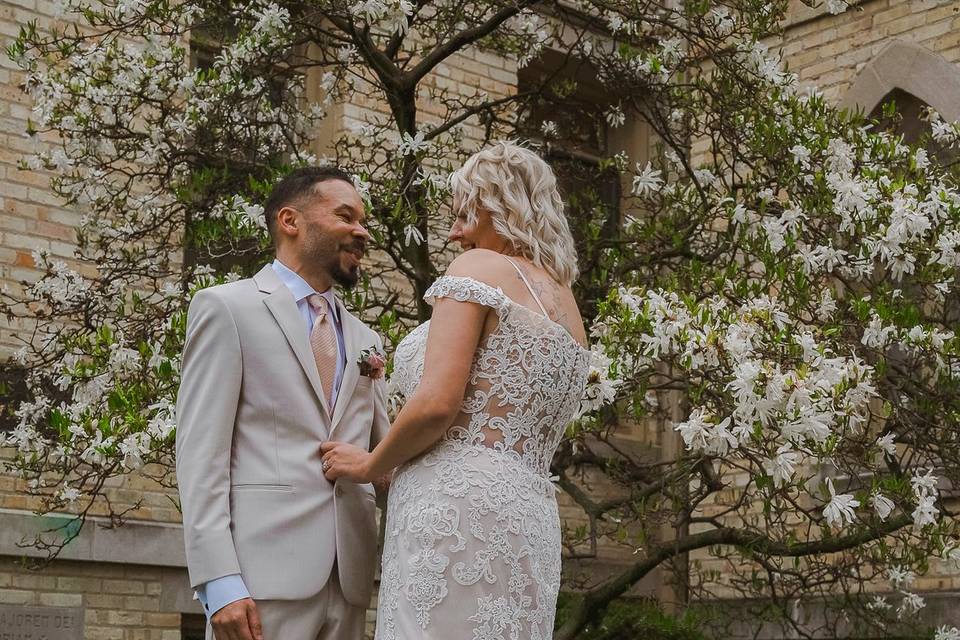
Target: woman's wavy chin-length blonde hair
[[519, 191]]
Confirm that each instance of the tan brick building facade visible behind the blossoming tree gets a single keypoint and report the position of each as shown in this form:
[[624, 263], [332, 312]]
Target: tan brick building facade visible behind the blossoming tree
[[129, 583]]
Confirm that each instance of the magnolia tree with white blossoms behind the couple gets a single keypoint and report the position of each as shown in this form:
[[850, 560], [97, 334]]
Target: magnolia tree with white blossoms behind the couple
[[780, 275]]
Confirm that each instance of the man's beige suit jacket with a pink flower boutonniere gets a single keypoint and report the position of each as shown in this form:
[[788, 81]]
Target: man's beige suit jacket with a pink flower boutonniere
[[251, 417]]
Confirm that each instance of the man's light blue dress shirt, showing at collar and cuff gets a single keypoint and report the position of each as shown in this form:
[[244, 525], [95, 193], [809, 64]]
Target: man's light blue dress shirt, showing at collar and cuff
[[219, 592]]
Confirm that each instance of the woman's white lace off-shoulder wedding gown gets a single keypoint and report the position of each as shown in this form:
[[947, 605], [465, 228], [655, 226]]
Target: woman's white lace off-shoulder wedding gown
[[472, 547]]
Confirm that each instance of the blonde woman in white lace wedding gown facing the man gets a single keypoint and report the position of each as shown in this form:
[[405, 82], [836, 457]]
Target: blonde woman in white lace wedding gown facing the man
[[472, 545]]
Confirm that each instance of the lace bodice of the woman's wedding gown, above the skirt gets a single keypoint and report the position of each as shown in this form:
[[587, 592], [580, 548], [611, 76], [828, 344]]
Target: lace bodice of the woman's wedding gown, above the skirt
[[526, 379]]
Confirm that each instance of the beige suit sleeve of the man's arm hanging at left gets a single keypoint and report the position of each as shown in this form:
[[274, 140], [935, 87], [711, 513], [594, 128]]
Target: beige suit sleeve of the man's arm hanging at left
[[206, 410]]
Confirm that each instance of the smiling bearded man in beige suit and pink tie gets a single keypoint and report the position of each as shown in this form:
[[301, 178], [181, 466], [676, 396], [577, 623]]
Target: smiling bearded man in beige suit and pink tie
[[273, 367]]
